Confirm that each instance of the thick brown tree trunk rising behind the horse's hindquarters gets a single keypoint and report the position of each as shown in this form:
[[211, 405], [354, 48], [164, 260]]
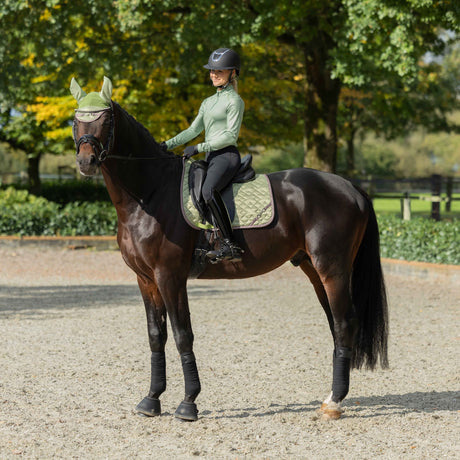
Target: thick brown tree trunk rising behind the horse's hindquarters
[[322, 98]]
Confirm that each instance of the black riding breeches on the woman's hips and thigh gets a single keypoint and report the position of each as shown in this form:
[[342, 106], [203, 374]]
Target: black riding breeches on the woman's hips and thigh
[[223, 164]]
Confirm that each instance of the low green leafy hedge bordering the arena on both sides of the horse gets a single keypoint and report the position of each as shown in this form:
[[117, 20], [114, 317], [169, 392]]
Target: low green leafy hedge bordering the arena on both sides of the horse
[[420, 239]]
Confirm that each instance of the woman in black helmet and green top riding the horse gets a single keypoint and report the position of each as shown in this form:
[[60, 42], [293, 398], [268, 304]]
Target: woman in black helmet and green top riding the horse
[[220, 116]]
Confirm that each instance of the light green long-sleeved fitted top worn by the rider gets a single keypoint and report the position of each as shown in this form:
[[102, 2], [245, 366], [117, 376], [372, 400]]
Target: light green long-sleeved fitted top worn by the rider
[[220, 116]]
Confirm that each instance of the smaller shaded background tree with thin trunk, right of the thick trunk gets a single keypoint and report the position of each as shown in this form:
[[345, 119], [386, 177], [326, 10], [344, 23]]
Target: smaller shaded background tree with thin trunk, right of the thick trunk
[[391, 110]]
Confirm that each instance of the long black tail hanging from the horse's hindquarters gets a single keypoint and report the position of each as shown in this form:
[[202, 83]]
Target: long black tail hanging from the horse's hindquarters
[[369, 299]]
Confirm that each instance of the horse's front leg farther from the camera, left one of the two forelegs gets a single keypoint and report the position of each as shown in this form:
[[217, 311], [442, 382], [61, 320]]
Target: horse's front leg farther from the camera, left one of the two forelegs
[[156, 325]]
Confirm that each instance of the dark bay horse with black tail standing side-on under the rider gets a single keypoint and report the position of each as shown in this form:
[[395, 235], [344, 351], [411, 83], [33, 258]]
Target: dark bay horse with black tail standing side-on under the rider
[[323, 224]]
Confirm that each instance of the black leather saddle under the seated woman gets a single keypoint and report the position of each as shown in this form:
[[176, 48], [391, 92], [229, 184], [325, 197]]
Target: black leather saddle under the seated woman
[[197, 176]]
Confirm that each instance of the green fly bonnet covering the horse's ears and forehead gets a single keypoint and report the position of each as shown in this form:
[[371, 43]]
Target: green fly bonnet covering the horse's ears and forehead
[[92, 105]]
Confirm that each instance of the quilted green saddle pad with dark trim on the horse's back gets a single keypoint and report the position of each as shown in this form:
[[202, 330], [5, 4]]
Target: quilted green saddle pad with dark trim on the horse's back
[[253, 202]]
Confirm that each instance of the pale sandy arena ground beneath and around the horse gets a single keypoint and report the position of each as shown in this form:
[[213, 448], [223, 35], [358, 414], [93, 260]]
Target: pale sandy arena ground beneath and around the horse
[[74, 361]]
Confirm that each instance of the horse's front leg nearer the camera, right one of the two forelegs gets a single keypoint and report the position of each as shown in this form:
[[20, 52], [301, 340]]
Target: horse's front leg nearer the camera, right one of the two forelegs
[[174, 291]]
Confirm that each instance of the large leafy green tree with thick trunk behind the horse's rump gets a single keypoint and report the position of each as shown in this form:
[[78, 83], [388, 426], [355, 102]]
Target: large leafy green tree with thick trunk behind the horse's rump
[[338, 44]]
